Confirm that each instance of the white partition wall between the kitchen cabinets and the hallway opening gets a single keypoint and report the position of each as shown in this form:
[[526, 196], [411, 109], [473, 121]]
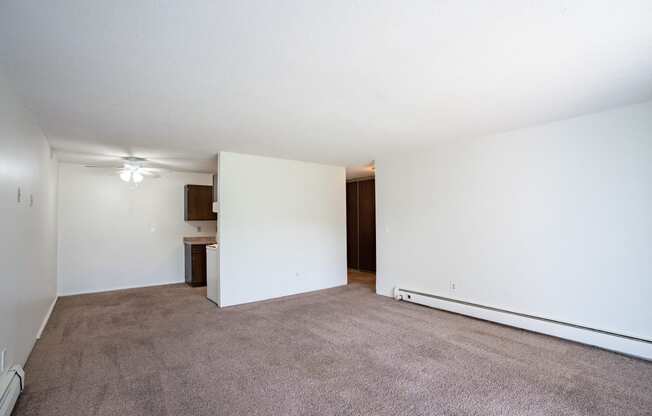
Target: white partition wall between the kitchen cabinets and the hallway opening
[[282, 227]]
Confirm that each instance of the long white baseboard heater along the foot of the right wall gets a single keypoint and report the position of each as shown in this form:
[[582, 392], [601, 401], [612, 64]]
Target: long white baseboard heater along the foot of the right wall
[[626, 344]]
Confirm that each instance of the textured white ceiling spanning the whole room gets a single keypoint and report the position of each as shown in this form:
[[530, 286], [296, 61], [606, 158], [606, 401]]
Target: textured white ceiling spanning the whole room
[[339, 82]]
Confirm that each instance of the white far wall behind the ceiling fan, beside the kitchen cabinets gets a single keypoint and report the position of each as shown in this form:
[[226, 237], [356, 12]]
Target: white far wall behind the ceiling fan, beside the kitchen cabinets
[[112, 236]]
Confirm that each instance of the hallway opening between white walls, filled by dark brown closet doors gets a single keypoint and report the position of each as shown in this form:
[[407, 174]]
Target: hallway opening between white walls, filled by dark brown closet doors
[[361, 230]]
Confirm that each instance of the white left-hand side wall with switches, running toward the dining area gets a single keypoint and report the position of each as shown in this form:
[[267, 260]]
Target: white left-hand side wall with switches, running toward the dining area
[[28, 243]]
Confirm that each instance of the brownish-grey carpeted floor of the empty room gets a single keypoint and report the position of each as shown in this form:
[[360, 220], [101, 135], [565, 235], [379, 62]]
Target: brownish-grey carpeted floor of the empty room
[[344, 351]]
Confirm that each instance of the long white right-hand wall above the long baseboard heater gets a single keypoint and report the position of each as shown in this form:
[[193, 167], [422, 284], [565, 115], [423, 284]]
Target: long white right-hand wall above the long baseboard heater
[[553, 221]]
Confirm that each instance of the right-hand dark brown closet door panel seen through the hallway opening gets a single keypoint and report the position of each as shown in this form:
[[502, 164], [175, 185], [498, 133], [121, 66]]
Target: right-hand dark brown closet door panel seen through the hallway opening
[[367, 224]]
